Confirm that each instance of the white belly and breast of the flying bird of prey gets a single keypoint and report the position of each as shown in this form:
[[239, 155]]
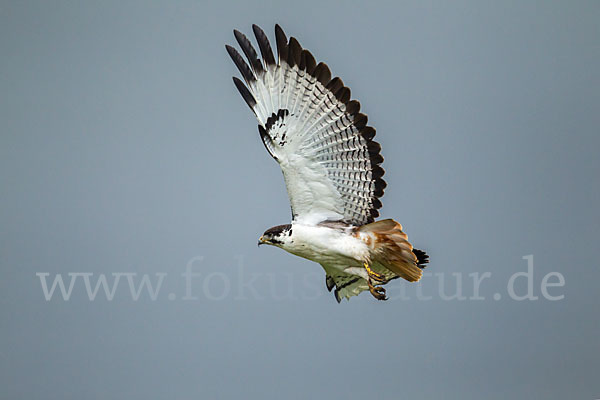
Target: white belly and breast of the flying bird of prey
[[327, 246]]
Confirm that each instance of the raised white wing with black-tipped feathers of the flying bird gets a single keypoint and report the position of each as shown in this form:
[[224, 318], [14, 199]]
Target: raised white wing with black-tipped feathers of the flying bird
[[308, 123]]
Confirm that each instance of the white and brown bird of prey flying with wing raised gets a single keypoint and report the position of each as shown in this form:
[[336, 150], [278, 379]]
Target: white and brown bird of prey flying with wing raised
[[331, 167]]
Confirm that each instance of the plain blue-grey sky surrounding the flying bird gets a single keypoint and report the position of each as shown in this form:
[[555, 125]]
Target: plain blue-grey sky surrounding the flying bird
[[125, 147]]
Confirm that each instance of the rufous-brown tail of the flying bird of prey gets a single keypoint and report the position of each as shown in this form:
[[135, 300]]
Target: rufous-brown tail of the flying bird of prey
[[391, 249]]
